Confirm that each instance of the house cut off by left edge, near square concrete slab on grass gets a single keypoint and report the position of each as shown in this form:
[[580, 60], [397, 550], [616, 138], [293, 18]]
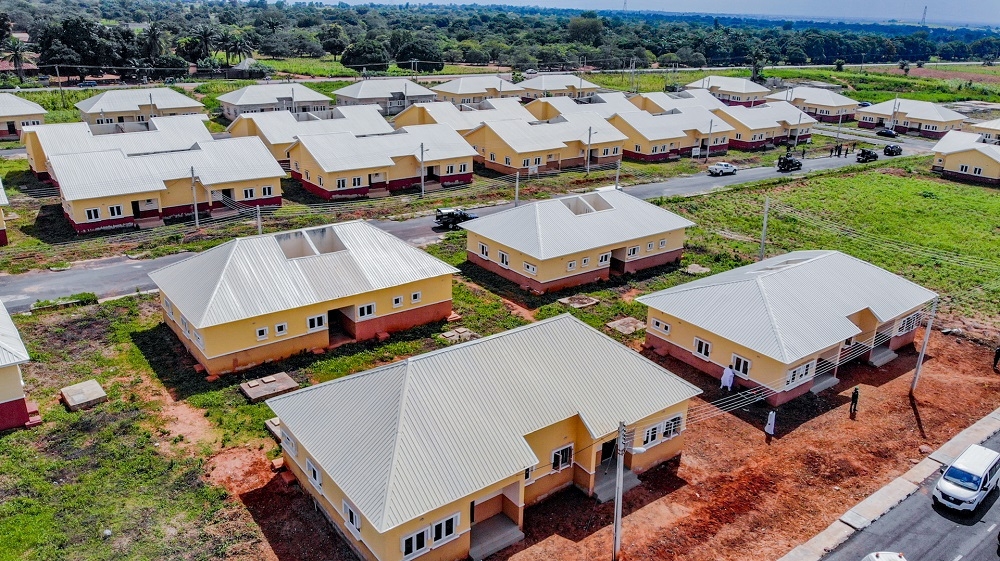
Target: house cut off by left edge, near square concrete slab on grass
[[15, 409]]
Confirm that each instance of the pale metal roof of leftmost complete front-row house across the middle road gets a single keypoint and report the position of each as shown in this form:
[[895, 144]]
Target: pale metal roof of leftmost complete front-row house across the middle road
[[102, 174]]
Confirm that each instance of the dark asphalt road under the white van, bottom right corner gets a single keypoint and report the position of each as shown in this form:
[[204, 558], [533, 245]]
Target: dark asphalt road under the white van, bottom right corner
[[924, 532]]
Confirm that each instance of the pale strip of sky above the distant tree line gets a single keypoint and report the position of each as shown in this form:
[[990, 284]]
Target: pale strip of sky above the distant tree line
[[972, 12]]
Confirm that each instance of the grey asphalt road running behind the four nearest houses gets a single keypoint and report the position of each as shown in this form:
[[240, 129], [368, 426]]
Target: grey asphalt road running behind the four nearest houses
[[116, 276]]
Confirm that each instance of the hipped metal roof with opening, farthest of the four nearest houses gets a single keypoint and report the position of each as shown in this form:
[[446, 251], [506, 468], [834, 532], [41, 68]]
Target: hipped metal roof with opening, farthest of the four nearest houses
[[549, 228]]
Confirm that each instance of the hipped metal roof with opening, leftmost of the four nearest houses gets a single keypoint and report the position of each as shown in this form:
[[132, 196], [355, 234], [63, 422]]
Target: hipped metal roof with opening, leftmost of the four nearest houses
[[253, 276]]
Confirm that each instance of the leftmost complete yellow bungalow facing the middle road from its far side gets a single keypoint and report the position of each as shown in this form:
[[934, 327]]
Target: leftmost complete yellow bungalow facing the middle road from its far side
[[110, 189]]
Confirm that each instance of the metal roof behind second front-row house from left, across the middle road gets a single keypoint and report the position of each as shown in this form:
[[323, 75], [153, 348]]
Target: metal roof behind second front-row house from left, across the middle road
[[281, 127]]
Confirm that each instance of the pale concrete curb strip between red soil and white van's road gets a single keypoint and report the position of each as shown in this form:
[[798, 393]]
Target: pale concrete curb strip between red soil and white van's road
[[885, 499]]
